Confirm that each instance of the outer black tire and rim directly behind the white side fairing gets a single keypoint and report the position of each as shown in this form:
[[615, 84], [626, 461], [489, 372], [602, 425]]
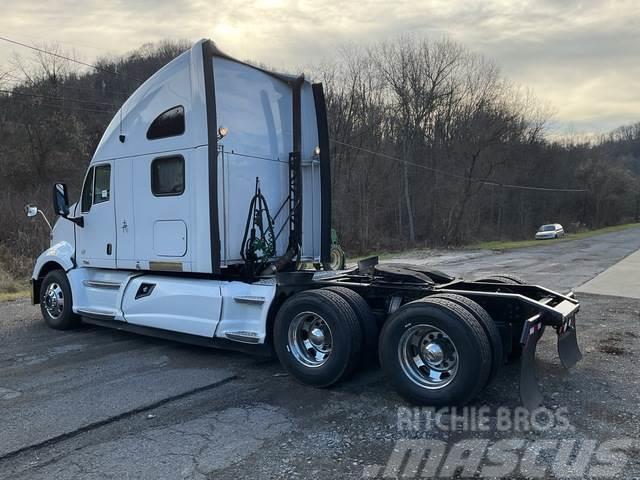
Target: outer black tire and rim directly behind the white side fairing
[[317, 337]]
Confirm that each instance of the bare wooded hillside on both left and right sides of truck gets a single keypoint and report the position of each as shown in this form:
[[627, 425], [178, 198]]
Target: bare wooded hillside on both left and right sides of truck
[[431, 146]]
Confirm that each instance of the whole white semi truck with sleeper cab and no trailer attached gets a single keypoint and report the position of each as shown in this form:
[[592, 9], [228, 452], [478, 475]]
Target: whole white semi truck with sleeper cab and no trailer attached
[[208, 187]]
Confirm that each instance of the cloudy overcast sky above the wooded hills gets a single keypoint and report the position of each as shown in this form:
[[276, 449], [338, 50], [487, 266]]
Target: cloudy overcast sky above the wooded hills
[[583, 57]]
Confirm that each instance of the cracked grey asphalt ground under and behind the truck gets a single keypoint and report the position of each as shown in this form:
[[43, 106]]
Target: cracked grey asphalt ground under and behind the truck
[[96, 403]]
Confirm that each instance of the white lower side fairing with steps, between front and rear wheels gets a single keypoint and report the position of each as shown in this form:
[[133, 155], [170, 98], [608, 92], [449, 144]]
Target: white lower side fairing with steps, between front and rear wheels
[[195, 306]]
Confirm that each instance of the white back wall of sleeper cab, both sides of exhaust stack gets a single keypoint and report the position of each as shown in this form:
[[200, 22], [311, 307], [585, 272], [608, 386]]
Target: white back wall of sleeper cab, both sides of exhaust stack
[[262, 111]]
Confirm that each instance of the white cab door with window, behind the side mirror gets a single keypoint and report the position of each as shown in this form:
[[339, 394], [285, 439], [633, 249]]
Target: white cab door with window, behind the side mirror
[[96, 240]]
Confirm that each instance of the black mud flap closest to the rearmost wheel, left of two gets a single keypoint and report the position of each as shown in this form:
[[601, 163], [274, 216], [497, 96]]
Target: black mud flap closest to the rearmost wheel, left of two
[[530, 394]]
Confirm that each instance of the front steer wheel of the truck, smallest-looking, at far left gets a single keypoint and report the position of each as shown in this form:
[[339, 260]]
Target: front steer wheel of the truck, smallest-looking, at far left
[[56, 301]]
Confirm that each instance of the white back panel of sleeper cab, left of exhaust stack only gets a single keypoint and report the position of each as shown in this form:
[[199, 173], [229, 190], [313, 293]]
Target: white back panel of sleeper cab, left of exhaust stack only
[[257, 109]]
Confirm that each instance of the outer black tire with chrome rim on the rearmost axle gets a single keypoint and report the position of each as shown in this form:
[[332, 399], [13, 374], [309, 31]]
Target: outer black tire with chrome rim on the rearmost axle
[[434, 352]]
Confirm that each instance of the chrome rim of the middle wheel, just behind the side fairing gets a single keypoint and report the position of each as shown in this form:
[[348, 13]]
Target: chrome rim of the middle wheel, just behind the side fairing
[[309, 339]]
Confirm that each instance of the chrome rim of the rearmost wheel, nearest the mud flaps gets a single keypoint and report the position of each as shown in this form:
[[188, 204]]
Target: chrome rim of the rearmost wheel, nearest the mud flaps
[[428, 357]]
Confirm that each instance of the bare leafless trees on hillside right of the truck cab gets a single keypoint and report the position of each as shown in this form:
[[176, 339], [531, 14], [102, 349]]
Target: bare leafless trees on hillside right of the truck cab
[[476, 164]]
